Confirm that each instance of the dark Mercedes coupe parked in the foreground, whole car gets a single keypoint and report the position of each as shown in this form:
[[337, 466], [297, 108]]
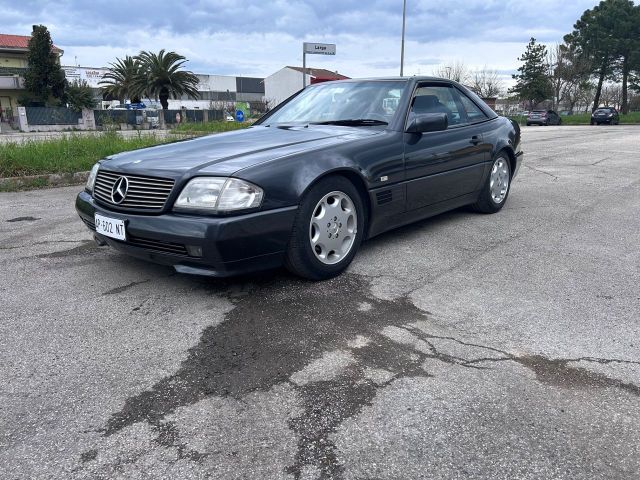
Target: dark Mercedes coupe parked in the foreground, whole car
[[337, 163]]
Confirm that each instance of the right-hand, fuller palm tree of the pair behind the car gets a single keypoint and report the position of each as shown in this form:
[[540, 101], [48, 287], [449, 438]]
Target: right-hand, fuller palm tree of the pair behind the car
[[160, 77]]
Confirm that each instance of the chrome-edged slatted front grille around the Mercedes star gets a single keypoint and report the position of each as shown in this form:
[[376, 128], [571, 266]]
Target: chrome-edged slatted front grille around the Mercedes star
[[144, 193]]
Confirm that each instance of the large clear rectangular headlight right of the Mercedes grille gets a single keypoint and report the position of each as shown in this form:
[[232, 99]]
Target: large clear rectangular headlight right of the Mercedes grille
[[219, 195]]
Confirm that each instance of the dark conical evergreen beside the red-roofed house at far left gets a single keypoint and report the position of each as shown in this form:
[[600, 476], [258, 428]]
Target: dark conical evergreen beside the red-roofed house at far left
[[44, 79]]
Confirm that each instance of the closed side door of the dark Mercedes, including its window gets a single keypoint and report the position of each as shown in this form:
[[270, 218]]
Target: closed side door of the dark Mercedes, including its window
[[447, 164]]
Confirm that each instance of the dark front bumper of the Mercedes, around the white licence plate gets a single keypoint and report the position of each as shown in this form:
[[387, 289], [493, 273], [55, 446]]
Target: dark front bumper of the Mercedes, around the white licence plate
[[198, 244]]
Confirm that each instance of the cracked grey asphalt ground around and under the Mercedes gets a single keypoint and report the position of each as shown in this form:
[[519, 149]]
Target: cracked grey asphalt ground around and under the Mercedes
[[464, 346]]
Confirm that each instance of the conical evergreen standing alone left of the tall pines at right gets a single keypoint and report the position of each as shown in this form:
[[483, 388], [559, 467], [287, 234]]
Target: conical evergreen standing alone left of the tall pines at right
[[533, 84]]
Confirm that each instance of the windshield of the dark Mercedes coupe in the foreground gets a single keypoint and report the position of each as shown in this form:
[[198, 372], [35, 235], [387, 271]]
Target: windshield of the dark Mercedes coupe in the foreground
[[354, 103]]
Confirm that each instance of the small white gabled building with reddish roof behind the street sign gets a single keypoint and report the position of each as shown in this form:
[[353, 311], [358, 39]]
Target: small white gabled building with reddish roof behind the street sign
[[288, 80]]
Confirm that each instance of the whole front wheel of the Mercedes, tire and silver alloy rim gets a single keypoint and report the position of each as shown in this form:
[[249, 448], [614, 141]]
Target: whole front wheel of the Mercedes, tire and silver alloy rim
[[327, 231]]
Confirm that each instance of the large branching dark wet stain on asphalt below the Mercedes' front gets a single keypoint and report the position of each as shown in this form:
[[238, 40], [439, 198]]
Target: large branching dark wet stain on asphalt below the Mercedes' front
[[281, 325]]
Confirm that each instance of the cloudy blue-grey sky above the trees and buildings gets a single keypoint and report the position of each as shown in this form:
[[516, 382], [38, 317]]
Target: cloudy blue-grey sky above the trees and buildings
[[258, 37]]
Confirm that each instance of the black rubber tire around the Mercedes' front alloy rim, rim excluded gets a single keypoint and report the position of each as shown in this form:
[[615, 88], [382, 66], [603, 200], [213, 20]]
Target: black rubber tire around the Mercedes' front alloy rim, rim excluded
[[300, 258]]
